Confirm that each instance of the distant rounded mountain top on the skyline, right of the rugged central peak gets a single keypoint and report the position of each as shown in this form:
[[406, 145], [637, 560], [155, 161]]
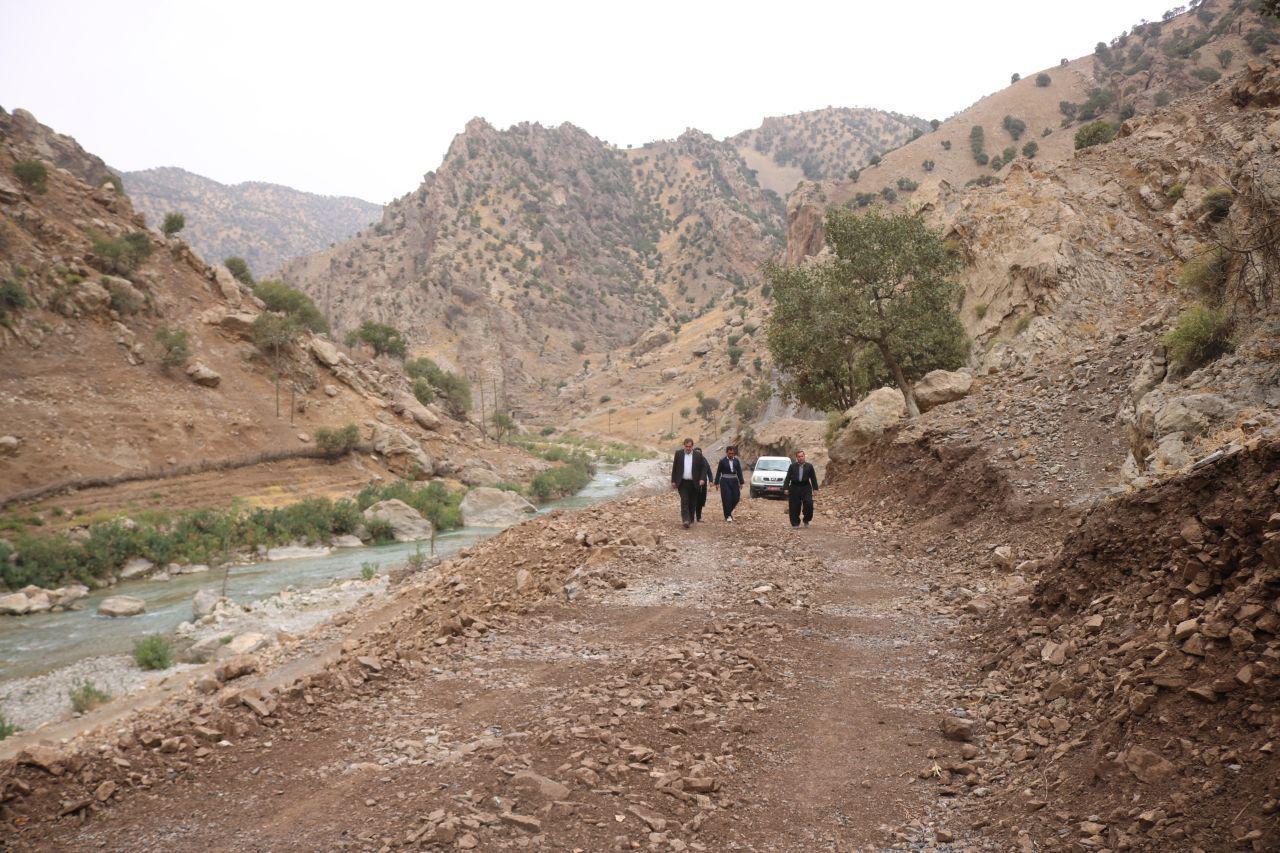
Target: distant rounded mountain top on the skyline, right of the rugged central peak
[[822, 145]]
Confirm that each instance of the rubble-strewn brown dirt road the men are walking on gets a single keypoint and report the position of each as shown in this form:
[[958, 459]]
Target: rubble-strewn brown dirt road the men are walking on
[[758, 690]]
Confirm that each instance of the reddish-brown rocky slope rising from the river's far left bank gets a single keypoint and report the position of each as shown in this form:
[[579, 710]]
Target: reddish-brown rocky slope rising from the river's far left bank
[[94, 304]]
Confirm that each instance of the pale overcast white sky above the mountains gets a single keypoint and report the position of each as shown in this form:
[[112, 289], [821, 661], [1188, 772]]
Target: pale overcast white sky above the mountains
[[364, 98]]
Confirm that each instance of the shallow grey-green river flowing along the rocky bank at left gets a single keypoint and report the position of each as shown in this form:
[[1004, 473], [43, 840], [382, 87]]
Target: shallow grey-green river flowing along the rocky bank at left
[[44, 642]]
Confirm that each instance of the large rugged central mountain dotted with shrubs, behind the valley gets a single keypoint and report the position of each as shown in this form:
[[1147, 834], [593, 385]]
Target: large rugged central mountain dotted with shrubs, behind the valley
[[533, 245]]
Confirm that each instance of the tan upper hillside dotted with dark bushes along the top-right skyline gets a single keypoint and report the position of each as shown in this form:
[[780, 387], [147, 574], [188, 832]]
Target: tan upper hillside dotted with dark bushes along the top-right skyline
[[1035, 120]]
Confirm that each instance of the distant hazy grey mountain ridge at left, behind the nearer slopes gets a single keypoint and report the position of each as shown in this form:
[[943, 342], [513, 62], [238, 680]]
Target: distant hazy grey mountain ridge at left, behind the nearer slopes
[[264, 223]]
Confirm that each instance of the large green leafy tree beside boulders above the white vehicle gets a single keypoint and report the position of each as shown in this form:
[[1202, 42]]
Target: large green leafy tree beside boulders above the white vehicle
[[884, 307]]
